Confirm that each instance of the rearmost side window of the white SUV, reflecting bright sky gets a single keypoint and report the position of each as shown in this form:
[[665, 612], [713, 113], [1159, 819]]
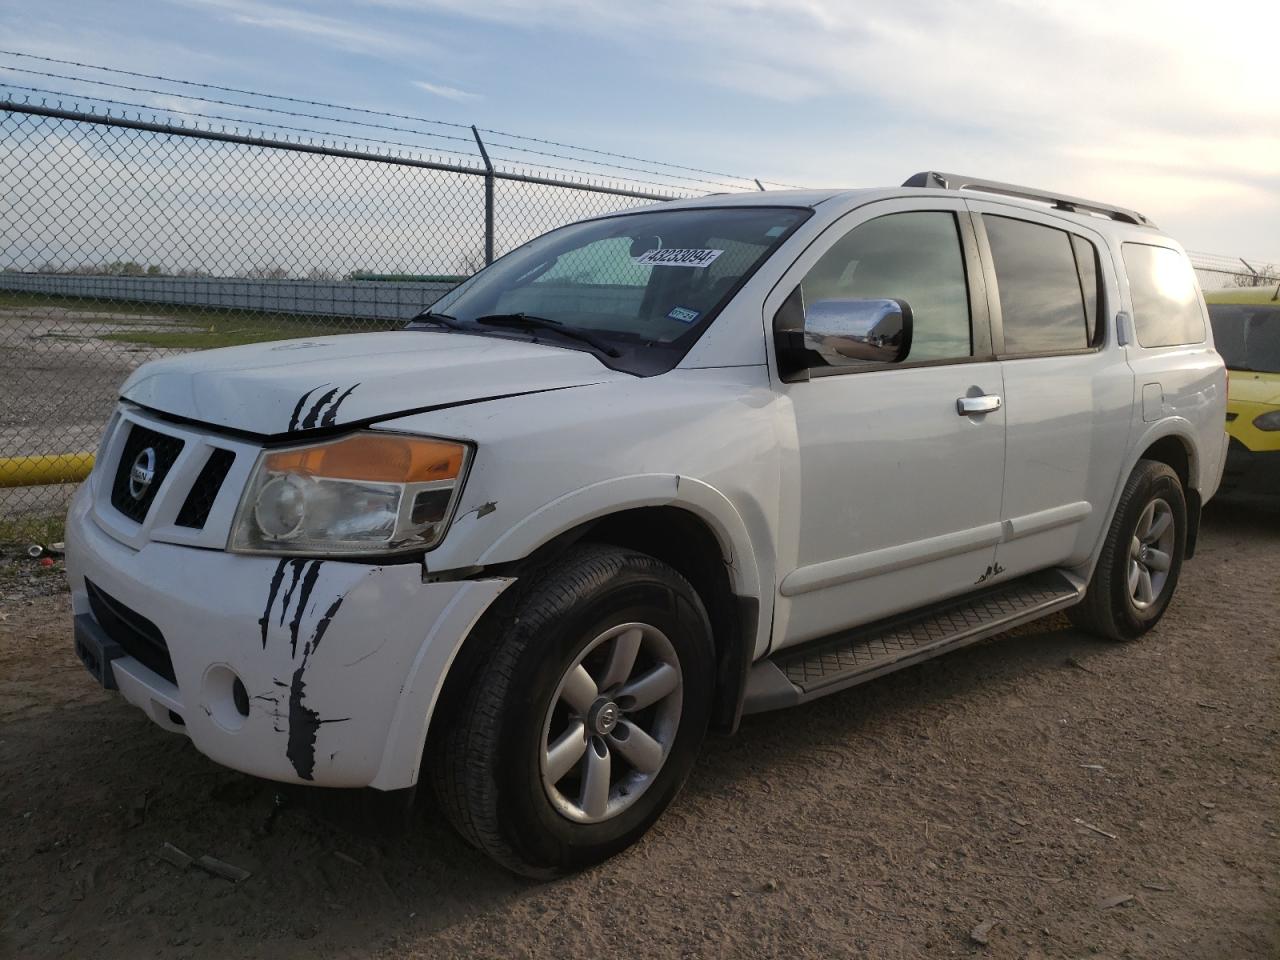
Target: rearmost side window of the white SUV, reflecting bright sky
[[1167, 309]]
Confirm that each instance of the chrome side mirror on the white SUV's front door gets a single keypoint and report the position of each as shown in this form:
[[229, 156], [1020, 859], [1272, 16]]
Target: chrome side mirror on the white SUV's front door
[[851, 332]]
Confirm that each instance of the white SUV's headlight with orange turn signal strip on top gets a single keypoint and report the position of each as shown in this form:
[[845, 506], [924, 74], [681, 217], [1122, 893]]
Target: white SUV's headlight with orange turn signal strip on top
[[365, 495]]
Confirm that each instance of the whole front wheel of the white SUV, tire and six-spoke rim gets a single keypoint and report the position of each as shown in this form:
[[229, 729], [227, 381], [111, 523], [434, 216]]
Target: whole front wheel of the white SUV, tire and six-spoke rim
[[584, 721]]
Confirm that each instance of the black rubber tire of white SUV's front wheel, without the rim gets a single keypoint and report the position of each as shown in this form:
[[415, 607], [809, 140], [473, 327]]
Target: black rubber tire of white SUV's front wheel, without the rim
[[486, 762]]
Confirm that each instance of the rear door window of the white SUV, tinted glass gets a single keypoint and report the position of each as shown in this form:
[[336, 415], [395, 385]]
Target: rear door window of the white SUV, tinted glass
[[1046, 307]]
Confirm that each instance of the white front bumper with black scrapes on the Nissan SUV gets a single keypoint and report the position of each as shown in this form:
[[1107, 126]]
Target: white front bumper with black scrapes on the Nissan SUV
[[341, 662]]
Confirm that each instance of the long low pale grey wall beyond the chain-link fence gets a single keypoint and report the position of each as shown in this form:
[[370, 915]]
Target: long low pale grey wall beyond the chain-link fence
[[373, 300]]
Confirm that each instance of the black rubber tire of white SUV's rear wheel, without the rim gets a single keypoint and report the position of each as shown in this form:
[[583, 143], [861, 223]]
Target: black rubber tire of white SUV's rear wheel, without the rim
[[1109, 609]]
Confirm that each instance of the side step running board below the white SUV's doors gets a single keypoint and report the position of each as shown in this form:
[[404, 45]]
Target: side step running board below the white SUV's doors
[[798, 675]]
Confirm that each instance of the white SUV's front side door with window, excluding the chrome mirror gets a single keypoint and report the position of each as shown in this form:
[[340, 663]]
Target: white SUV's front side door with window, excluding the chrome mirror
[[895, 495]]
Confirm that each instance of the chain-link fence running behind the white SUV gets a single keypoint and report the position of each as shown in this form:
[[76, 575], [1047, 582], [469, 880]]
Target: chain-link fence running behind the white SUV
[[127, 240]]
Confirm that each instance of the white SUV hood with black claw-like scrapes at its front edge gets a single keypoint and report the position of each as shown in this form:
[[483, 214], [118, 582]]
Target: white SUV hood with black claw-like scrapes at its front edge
[[291, 386]]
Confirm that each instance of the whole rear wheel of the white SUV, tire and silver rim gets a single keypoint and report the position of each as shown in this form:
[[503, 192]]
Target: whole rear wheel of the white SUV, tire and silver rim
[[1141, 560]]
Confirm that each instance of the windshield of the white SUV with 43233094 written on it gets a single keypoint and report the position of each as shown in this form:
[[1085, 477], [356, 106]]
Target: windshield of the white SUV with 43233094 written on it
[[642, 286]]
